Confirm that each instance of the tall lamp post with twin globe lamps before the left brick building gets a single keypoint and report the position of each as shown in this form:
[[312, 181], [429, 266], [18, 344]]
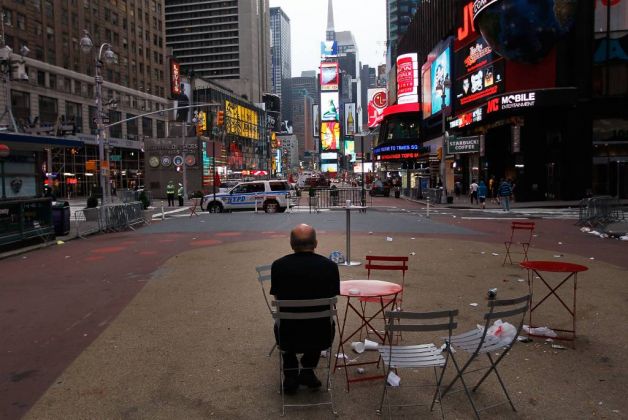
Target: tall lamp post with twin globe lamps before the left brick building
[[108, 56]]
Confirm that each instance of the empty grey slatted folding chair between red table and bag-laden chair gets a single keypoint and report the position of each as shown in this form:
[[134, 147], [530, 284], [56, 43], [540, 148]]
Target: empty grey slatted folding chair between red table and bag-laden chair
[[419, 356]]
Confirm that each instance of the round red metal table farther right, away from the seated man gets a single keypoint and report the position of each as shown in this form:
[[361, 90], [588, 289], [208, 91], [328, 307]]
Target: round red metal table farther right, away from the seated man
[[571, 271]]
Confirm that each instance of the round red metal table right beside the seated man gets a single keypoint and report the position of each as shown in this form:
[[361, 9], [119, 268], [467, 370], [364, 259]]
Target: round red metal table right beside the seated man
[[356, 289]]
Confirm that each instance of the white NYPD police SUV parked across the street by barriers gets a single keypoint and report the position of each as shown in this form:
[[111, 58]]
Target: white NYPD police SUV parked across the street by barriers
[[270, 196]]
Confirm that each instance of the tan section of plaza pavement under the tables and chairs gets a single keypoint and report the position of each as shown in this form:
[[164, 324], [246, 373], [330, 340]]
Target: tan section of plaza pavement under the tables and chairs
[[193, 342]]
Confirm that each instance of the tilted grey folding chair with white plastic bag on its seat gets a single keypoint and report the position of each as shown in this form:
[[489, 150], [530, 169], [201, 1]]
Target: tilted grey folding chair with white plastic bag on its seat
[[478, 341]]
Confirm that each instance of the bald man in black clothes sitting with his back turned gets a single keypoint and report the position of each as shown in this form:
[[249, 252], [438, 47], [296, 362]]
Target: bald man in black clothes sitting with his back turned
[[303, 275]]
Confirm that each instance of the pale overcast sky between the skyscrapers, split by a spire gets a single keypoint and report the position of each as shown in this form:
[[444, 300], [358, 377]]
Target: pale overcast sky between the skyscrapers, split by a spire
[[366, 19]]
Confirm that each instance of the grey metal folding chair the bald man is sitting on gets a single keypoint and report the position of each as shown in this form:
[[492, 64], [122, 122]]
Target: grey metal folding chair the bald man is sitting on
[[307, 310]]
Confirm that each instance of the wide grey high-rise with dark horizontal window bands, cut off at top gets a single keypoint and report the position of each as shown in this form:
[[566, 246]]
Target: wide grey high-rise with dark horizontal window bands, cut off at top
[[222, 39]]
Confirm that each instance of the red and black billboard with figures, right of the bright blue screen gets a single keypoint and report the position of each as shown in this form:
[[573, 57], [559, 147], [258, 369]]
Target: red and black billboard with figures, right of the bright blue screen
[[479, 73]]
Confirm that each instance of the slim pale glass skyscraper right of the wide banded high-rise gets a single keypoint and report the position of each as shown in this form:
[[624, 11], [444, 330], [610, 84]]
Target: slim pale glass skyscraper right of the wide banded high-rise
[[280, 48]]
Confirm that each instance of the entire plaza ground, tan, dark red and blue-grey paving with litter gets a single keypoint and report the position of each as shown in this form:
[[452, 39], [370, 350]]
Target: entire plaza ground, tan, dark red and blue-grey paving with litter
[[169, 322]]
